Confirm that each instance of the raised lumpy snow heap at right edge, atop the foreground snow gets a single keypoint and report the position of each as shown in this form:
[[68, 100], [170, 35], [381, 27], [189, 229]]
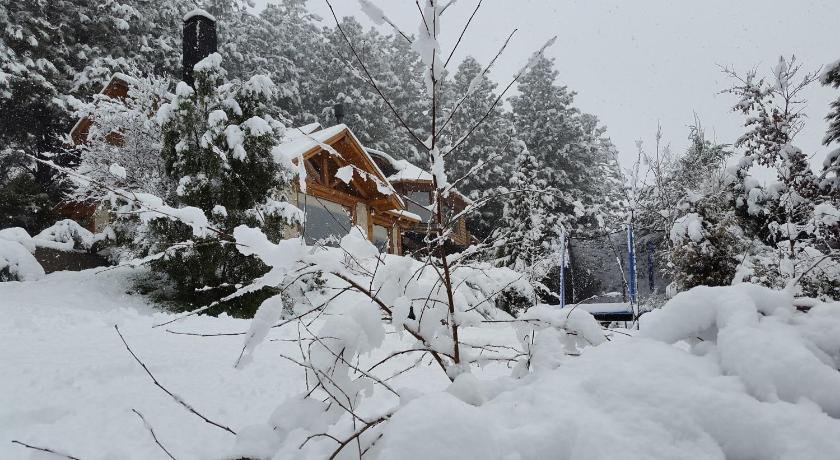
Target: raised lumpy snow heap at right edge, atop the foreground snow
[[756, 334]]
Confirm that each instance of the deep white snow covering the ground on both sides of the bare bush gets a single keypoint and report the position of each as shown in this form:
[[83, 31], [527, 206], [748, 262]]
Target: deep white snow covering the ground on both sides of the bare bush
[[736, 384]]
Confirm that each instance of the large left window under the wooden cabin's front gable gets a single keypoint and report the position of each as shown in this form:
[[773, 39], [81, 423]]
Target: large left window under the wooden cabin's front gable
[[326, 222]]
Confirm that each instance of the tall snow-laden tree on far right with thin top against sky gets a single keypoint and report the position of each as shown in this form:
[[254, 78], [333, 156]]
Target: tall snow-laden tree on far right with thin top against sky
[[790, 220]]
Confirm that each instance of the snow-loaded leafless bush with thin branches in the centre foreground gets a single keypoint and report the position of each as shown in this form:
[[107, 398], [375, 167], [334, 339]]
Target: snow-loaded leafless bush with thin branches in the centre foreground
[[341, 325]]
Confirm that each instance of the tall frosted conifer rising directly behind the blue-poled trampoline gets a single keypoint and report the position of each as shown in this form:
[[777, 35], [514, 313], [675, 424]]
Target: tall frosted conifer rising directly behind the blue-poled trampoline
[[567, 168]]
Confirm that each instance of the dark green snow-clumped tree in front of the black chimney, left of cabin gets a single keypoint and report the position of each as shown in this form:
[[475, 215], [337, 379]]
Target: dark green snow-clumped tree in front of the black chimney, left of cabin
[[217, 151]]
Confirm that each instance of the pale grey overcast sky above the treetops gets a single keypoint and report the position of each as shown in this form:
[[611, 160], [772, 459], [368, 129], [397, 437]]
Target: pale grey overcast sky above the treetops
[[638, 63]]
